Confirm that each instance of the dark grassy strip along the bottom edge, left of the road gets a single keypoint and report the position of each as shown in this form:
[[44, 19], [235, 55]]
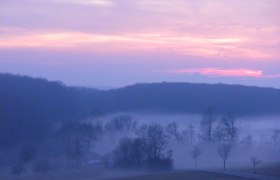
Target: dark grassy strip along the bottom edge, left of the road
[[123, 175]]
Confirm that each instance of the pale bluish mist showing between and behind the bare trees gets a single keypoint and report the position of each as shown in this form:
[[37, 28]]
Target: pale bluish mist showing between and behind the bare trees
[[256, 136]]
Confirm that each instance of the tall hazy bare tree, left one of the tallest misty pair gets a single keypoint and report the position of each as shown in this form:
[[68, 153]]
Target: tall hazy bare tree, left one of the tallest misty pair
[[207, 124]]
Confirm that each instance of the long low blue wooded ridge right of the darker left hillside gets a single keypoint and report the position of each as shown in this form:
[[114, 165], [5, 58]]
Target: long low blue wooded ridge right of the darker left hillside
[[193, 98]]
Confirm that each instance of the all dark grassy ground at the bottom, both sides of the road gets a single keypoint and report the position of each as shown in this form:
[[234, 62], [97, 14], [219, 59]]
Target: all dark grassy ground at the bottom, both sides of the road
[[101, 173]]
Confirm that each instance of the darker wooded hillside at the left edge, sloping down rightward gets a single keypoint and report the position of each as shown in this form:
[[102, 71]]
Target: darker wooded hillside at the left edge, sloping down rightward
[[31, 107]]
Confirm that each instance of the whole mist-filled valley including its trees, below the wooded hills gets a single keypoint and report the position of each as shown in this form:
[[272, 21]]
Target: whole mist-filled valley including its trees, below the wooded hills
[[151, 141]]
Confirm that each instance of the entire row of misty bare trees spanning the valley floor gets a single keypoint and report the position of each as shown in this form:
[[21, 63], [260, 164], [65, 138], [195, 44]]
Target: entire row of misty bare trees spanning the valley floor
[[135, 145]]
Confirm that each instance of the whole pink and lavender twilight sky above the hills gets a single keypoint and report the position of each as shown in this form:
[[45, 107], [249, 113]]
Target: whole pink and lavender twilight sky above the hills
[[113, 43]]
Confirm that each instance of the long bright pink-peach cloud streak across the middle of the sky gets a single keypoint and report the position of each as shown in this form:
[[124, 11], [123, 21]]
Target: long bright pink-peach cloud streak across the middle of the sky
[[222, 46]]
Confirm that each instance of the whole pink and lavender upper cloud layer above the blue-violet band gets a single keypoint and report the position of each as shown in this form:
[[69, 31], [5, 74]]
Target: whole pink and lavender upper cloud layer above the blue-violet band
[[219, 29]]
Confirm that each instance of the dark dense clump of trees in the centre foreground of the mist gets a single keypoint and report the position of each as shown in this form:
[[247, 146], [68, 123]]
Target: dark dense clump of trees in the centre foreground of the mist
[[147, 150]]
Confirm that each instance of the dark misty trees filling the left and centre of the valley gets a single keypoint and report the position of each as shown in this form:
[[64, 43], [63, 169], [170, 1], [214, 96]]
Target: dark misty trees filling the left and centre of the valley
[[73, 143]]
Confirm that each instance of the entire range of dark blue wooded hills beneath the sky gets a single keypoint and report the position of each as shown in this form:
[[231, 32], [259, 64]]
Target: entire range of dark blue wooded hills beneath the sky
[[32, 105]]
